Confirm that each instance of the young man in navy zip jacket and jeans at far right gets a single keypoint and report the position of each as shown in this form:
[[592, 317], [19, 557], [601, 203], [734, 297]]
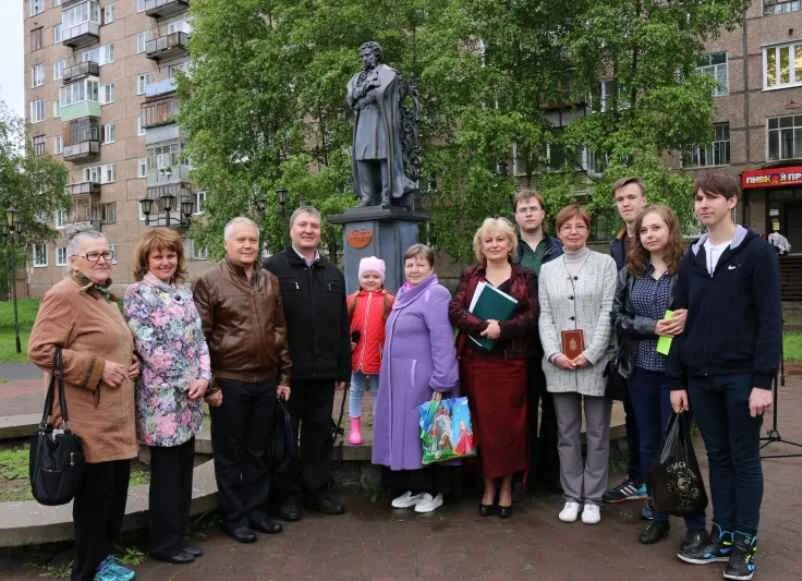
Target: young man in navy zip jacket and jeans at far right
[[722, 367]]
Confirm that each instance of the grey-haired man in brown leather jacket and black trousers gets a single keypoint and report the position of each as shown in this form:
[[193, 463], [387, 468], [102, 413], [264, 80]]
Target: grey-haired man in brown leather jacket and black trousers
[[243, 320]]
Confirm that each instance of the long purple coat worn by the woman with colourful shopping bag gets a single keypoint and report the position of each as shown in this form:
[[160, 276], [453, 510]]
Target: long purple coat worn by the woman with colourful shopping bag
[[418, 359]]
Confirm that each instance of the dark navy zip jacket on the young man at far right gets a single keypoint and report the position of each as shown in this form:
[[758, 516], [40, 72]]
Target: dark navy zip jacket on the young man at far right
[[734, 322]]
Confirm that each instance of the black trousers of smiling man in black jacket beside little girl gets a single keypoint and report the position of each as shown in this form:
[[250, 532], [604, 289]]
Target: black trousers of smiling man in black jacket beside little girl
[[310, 407]]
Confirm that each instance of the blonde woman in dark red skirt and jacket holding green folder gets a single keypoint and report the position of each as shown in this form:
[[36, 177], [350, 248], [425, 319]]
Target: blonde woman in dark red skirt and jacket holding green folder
[[495, 380]]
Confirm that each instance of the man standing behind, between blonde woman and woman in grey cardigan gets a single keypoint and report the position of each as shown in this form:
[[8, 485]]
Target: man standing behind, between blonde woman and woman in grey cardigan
[[535, 248]]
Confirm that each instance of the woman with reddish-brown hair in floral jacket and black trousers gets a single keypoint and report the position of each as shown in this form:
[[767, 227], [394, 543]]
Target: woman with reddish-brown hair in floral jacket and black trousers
[[169, 396]]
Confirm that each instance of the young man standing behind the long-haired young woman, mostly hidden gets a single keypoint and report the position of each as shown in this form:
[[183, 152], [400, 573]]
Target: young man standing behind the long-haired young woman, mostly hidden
[[629, 195]]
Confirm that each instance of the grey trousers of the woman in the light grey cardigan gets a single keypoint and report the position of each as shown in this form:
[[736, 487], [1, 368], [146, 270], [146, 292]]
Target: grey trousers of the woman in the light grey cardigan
[[583, 480]]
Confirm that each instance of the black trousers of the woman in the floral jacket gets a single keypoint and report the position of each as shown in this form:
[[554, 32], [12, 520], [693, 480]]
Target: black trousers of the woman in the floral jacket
[[170, 496]]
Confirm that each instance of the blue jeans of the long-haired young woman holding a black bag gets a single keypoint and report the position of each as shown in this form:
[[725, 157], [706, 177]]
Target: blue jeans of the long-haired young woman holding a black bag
[[649, 392]]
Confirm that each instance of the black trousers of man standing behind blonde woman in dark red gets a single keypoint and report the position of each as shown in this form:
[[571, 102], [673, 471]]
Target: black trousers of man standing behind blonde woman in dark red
[[544, 461]]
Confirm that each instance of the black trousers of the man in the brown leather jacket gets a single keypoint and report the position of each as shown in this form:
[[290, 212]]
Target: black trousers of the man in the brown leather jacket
[[241, 433]]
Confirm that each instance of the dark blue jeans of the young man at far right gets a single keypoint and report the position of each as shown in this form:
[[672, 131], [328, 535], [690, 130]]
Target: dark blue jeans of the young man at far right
[[732, 437]]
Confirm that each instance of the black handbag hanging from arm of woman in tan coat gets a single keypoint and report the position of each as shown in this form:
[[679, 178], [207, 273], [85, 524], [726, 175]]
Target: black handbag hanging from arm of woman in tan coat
[[56, 461]]
